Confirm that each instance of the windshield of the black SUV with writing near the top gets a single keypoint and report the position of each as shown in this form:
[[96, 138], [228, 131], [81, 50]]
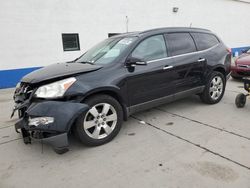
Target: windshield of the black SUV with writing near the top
[[106, 51]]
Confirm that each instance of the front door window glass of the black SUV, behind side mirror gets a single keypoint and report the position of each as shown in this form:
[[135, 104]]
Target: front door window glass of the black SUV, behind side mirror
[[151, 48]]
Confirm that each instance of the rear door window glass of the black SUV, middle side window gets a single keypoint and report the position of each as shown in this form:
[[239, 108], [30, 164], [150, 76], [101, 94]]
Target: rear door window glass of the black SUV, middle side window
[[180, 43]]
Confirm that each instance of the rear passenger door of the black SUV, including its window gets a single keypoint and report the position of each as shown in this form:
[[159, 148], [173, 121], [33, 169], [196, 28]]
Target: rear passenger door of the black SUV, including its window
[[189, 64]]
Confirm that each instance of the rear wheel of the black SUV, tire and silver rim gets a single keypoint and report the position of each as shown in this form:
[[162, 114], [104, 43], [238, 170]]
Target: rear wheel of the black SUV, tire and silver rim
[[216, 84]]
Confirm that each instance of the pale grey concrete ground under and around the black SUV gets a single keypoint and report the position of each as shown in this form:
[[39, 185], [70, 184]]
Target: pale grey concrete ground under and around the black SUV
[[182, 144]]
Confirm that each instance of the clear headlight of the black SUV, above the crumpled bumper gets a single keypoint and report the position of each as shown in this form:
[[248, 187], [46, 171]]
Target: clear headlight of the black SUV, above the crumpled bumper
[[56, 89]]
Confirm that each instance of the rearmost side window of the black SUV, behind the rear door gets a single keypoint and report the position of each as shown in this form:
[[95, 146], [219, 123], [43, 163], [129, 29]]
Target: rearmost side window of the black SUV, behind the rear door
[[204, 41]]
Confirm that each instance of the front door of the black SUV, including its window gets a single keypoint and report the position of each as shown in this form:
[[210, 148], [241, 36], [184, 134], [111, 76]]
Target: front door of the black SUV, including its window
[[155, 80]]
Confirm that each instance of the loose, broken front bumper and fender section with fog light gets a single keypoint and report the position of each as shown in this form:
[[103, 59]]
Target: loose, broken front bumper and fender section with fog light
[[61, 115]]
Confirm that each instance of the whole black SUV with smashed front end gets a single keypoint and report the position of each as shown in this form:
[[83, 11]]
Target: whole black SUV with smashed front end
[[124, 74]]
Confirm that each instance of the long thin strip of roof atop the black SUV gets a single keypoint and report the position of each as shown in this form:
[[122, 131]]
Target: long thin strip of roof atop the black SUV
[[163, 30]]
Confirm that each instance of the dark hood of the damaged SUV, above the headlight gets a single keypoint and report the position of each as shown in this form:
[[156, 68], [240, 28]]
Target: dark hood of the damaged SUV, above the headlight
[[58, 70]]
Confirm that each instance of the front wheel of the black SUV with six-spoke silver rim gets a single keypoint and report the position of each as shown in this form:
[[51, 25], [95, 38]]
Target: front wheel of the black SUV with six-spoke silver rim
[[101, 123]]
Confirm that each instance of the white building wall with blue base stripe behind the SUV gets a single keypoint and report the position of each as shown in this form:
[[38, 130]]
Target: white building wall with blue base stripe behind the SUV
[[31, 30]]
